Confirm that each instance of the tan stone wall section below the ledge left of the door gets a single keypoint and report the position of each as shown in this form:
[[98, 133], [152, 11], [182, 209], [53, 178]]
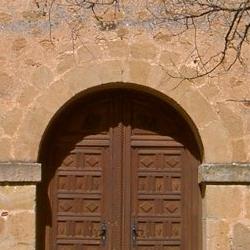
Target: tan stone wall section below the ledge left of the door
[[17, 217]]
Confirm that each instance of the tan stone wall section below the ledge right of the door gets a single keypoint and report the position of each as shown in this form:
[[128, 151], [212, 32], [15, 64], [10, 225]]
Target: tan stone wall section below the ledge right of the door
[[227, 220]]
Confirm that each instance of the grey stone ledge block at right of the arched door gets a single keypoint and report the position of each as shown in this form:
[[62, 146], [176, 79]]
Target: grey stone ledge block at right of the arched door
[[235, 173]]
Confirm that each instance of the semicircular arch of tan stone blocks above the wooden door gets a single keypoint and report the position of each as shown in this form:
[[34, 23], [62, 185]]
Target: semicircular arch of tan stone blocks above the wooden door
[[134, 74]]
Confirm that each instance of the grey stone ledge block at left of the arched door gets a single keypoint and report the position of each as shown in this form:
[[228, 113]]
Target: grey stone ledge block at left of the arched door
[[20, 172]]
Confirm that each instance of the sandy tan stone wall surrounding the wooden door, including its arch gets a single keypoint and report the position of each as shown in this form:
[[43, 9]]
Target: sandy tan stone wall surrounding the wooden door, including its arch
[[40, 72]]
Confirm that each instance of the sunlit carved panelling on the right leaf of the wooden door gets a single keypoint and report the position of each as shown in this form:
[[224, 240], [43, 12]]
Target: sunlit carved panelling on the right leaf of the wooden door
[[157, 199]]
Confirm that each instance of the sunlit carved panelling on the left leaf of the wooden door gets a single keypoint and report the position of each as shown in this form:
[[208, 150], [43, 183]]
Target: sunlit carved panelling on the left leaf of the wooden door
[[79, 198]]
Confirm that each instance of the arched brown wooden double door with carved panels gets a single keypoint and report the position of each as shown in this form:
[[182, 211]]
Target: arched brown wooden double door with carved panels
[[120, 173]]
